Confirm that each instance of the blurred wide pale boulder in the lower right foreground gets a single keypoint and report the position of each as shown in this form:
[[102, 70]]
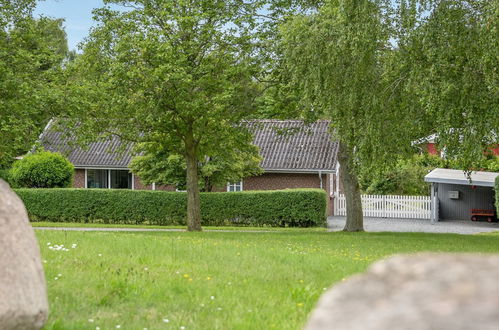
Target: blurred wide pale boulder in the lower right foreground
[[426, 291]]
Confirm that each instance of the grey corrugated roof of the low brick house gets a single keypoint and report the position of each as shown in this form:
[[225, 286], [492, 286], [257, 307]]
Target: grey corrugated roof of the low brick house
[[285, 145]]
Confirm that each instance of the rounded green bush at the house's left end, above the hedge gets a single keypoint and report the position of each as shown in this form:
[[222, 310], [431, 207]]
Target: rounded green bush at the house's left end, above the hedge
[[42, 170]]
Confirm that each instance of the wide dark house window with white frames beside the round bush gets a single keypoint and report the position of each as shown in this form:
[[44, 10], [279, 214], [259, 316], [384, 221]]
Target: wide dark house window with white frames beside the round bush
[[115, 179]]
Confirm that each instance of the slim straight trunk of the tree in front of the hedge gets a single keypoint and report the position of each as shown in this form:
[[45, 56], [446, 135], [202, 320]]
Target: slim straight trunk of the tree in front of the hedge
[[193, 202]]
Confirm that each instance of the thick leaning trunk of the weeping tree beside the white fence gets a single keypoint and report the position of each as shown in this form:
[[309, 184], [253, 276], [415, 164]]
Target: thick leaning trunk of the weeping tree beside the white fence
[[355, 219]]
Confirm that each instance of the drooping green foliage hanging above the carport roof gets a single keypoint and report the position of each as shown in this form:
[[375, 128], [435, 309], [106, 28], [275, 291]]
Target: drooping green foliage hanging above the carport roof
[[451, 53]]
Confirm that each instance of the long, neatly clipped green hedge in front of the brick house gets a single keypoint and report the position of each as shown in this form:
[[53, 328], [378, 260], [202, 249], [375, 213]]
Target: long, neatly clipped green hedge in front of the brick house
[[293, 207]]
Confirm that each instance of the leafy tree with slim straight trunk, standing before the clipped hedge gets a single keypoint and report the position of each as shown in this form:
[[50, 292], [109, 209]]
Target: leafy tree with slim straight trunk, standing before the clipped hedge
[[173, 74]]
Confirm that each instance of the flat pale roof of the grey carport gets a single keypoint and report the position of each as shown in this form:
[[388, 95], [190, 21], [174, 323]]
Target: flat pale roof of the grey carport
[[478, 178]]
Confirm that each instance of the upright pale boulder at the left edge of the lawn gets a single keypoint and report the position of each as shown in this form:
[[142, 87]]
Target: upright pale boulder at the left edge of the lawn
[[23, 295]]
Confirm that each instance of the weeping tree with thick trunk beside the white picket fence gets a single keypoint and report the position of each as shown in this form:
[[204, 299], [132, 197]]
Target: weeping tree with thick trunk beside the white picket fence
[[341, 61]]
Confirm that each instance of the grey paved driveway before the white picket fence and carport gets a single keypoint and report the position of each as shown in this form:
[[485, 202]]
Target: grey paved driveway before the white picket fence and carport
[[417, 225]]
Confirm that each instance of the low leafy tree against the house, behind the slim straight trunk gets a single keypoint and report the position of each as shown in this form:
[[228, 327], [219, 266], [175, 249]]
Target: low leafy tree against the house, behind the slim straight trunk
[[161, 167]]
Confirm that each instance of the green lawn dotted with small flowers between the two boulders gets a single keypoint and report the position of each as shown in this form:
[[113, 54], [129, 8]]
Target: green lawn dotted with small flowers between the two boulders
[[213, 280]]
